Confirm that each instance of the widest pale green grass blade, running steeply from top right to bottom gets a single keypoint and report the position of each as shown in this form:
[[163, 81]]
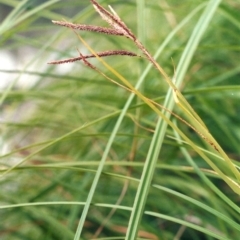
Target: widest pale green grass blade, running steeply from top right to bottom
[[158, 137]]
